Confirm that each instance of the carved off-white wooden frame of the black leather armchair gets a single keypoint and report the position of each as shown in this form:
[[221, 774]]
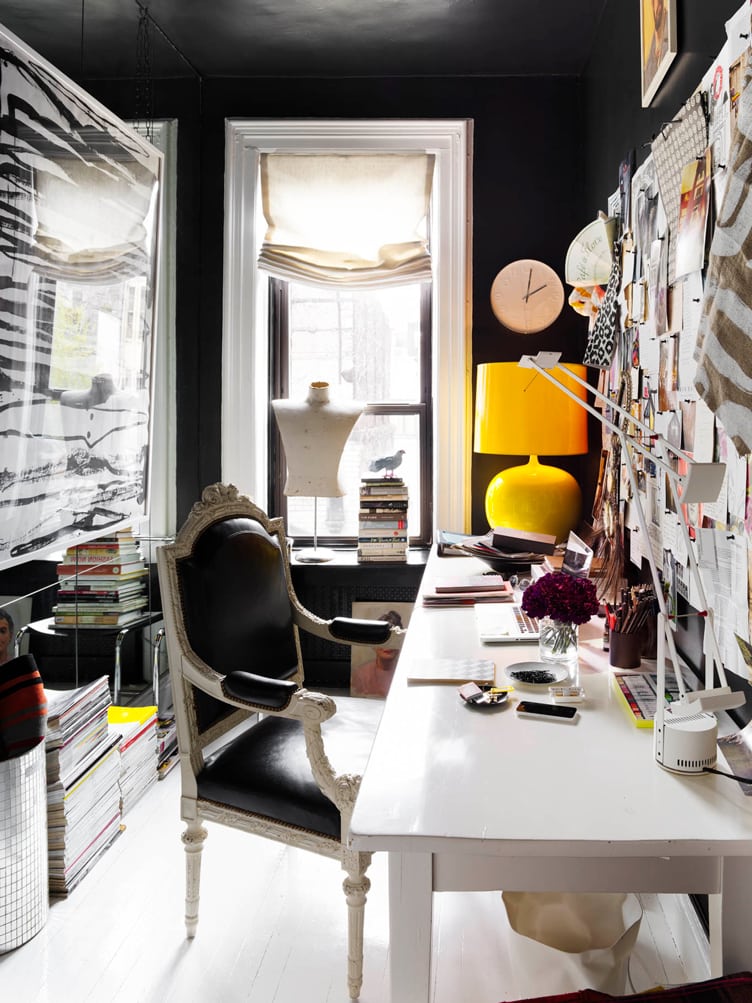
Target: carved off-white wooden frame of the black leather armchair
[[220, 502]]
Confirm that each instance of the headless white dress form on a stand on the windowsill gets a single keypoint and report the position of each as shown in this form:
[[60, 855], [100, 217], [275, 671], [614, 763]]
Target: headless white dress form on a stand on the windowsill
[[314, 433]]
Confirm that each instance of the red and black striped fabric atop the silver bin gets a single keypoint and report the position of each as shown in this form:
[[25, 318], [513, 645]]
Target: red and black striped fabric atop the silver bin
[[24, 708]]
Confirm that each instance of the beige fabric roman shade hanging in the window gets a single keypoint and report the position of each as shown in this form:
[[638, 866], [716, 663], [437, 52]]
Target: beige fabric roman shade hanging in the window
[[359, 220]]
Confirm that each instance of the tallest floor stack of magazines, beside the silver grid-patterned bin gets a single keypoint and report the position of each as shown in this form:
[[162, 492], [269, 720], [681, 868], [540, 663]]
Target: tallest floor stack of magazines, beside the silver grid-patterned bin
[[84, 796]]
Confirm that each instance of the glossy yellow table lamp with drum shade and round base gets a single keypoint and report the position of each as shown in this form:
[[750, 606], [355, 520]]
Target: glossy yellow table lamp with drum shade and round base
[[519, 413]]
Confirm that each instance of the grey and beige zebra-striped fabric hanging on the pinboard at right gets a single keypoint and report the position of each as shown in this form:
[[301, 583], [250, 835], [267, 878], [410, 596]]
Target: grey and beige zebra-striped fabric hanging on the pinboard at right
[[724, 347]]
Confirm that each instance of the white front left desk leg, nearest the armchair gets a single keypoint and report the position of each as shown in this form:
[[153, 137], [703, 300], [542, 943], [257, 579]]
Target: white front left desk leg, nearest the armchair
[[411, 911]]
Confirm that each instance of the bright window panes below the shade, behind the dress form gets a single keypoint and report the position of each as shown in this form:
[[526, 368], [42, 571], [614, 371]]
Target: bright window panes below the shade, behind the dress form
[[373, 347]]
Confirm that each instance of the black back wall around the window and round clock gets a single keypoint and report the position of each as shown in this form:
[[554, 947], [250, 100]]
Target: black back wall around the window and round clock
[[528, 198]]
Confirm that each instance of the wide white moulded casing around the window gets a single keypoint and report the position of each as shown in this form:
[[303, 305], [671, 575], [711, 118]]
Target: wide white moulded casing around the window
[[245, 399]]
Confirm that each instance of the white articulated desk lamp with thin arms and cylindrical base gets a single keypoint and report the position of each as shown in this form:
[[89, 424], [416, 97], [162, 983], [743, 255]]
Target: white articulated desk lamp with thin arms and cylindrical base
[[685, 736]]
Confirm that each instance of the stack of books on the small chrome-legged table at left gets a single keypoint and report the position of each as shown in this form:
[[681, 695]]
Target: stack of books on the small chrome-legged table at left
[[102, 584]]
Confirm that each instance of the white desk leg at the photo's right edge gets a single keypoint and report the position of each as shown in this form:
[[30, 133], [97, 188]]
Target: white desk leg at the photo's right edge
[[730, 943]]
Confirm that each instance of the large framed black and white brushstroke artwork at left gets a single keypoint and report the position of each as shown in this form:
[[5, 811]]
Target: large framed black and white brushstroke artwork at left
[[79, 241]]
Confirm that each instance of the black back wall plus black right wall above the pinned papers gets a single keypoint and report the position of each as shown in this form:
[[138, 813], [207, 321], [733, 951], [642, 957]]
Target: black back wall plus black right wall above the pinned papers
[[547, 154]]
